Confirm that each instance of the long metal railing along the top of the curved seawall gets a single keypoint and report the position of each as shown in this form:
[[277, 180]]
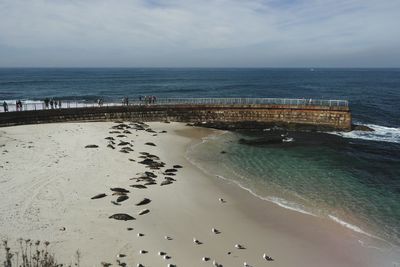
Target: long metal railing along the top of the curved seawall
[[180, 101]]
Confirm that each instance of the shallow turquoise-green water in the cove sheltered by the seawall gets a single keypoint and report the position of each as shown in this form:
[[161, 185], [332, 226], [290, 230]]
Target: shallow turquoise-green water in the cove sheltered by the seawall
[[318, 174]]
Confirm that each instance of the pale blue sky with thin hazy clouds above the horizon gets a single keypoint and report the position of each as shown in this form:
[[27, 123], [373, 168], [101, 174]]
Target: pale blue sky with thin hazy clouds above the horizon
[[199, 33]]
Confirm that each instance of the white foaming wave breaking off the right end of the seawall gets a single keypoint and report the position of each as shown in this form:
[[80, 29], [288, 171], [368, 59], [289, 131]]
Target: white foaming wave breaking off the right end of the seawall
[[380, 133]]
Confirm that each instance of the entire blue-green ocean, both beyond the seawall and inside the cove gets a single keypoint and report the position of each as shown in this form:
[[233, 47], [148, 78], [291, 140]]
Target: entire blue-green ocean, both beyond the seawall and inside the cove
[[351, 178]]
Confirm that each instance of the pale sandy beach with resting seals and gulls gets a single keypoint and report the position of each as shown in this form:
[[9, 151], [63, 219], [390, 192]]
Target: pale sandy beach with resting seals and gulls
[[48, 178]]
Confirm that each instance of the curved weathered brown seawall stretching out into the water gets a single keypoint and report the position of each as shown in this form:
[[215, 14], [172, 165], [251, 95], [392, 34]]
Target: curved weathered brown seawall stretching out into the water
[[218, 116]]
